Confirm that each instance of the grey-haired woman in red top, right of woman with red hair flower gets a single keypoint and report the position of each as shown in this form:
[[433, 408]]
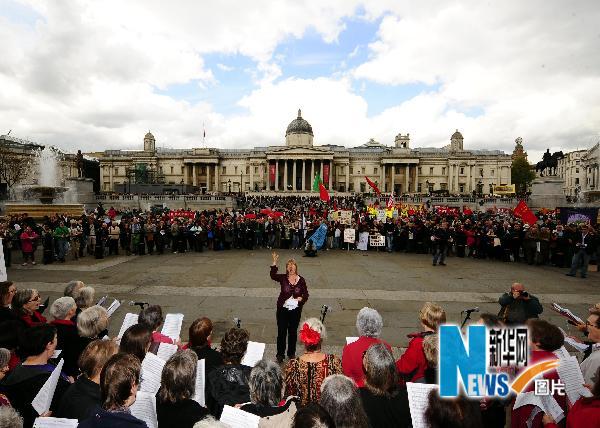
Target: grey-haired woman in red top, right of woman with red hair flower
[[369, 325]]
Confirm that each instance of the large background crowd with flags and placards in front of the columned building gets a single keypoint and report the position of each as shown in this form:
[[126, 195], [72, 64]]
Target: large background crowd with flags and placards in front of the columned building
[[288, 222]]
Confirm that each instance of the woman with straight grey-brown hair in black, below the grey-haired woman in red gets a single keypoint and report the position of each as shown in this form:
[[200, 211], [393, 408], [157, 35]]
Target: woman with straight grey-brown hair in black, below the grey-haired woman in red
[[385, 401]]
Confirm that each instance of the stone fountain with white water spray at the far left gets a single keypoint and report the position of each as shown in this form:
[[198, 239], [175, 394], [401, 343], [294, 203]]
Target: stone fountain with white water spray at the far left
[[47, 196]]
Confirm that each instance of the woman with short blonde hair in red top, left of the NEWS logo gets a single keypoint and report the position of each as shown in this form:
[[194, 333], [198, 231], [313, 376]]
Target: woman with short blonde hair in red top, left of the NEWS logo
[[412, 364]]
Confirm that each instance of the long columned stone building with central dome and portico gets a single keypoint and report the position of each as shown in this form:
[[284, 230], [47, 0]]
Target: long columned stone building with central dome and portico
[[293, 166]]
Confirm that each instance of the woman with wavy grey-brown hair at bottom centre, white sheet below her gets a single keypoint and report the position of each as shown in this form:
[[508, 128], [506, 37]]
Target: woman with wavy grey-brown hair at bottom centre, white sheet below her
[[266, 392]]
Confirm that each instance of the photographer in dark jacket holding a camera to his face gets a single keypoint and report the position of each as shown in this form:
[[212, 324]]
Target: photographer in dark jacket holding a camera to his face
[[518, 305]]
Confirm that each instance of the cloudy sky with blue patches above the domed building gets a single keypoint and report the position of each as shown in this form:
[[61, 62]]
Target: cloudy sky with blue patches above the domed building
[[99, 74]]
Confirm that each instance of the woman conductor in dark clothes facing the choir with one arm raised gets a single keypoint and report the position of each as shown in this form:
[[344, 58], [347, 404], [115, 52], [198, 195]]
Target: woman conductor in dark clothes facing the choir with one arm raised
[[293, 296]]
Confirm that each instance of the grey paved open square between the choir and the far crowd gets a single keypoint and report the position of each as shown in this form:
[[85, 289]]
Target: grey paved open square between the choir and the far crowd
[[228, 284]]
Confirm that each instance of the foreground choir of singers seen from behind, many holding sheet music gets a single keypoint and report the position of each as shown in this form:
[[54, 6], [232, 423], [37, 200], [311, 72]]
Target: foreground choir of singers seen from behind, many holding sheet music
[[365, 386]]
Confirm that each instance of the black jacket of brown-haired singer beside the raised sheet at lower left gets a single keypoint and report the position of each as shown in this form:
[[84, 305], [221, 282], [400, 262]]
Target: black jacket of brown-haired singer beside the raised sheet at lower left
[[80, 400]]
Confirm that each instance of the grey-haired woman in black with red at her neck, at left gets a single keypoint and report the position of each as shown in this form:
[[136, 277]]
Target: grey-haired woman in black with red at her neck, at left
[[62, 310]]
